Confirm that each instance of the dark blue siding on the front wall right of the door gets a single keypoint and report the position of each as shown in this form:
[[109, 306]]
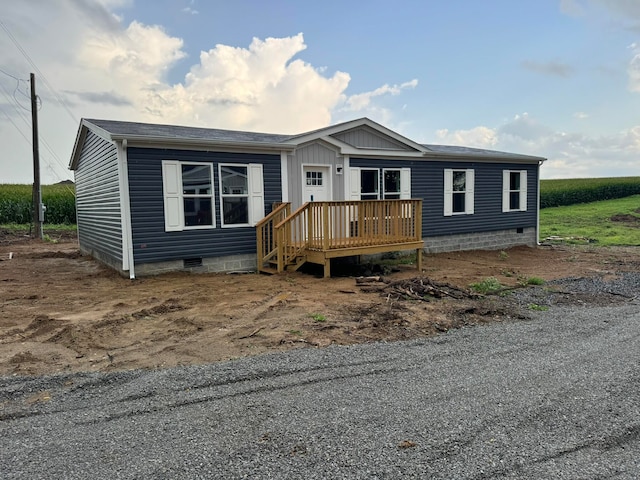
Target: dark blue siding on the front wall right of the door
[[427, 183]]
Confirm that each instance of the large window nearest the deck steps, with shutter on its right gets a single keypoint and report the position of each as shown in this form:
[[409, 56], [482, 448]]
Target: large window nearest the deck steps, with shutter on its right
[[241, 194]]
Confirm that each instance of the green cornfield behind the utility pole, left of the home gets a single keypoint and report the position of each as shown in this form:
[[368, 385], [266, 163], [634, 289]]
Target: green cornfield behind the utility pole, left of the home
[[16, 204]]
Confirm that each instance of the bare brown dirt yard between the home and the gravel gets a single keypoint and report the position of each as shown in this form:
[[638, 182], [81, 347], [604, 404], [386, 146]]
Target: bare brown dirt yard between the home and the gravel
[[62, 311]]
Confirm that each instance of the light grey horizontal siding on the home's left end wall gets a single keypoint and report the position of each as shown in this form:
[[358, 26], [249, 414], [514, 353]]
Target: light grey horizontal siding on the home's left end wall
[[98, 208]]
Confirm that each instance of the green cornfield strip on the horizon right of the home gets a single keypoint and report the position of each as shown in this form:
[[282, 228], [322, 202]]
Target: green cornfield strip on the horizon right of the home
[[556, 193]]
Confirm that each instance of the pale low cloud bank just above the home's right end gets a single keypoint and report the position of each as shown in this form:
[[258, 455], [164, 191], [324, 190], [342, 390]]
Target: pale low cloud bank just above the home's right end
[[570, 155]]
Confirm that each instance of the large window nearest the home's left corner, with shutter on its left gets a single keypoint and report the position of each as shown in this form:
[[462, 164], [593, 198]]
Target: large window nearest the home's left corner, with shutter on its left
[[188, 195]]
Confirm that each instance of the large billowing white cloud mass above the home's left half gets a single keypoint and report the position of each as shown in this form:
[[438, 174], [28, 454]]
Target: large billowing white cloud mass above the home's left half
[[102, 68]]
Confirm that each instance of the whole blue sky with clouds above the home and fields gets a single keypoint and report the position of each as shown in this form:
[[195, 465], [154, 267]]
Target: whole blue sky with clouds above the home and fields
[[553, 78]]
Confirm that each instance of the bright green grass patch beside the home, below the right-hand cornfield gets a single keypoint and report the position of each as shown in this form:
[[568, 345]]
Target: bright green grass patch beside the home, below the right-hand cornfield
[[592, 222]]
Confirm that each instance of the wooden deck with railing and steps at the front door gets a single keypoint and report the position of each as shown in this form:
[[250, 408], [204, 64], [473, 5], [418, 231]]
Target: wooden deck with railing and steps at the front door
[[320, 231]]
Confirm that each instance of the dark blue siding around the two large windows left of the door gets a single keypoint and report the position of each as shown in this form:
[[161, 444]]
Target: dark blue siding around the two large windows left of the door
[[150, 241]]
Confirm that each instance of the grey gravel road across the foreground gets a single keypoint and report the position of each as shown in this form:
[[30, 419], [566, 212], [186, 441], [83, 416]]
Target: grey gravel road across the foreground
[[553, 397]]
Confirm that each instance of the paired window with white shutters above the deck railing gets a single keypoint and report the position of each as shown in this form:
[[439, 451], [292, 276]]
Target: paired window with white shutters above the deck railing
[[374, 184]]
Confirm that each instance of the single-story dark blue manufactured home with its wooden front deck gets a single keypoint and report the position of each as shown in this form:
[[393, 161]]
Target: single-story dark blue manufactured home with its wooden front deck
[[156, 198]]
